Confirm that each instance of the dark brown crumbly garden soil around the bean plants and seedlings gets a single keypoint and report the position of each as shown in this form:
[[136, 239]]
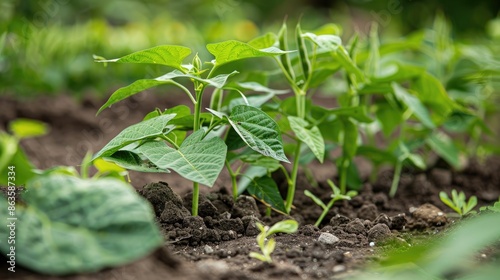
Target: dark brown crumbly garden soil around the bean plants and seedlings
[[216, 244]]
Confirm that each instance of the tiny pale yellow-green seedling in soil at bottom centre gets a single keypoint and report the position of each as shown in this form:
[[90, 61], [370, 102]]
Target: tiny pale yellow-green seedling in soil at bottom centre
[[267, 248]]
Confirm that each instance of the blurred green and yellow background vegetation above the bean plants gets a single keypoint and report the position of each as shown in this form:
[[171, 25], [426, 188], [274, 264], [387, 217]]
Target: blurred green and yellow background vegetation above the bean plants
[[46, 46]]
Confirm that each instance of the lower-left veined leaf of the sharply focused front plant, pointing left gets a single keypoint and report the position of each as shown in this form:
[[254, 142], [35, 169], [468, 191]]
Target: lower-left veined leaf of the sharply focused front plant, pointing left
[[147, 129]]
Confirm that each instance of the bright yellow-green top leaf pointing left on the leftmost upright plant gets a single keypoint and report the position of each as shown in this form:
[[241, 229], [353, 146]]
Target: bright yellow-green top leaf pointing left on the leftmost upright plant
[[168, 55]]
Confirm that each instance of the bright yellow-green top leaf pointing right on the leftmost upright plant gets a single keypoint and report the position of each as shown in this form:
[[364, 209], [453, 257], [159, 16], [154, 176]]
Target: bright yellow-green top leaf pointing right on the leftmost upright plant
[[229, 51]]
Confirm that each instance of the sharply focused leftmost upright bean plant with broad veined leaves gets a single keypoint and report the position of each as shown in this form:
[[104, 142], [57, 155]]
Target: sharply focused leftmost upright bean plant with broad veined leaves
[[160, 143]]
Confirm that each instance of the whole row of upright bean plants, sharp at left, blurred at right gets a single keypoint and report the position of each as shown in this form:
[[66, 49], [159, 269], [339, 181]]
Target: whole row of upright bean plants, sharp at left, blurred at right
[[411, 92]]
